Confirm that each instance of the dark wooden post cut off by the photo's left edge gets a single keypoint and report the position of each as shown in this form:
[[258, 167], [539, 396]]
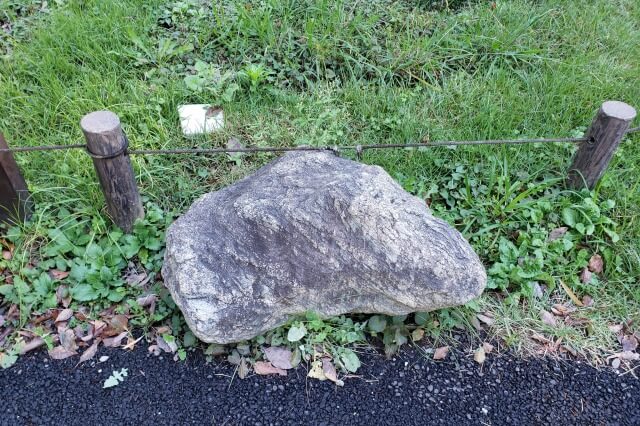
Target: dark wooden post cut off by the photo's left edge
[[15, 201]]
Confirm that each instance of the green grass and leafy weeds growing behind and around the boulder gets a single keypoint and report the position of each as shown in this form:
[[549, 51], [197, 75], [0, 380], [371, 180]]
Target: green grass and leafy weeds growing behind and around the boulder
[[323, 73]]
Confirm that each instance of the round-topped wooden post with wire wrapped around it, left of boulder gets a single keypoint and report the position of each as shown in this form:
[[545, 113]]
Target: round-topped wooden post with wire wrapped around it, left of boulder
[[107, 145]]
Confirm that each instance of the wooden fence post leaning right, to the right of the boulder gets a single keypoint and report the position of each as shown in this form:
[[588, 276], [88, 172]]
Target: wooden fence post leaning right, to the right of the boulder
[[593, 156]]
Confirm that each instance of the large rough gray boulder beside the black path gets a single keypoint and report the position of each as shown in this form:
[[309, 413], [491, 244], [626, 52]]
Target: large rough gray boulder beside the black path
[[312, 232]]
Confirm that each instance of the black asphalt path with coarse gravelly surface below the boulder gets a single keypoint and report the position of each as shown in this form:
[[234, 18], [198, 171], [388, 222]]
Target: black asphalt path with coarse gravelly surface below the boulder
[[405, 391]]
